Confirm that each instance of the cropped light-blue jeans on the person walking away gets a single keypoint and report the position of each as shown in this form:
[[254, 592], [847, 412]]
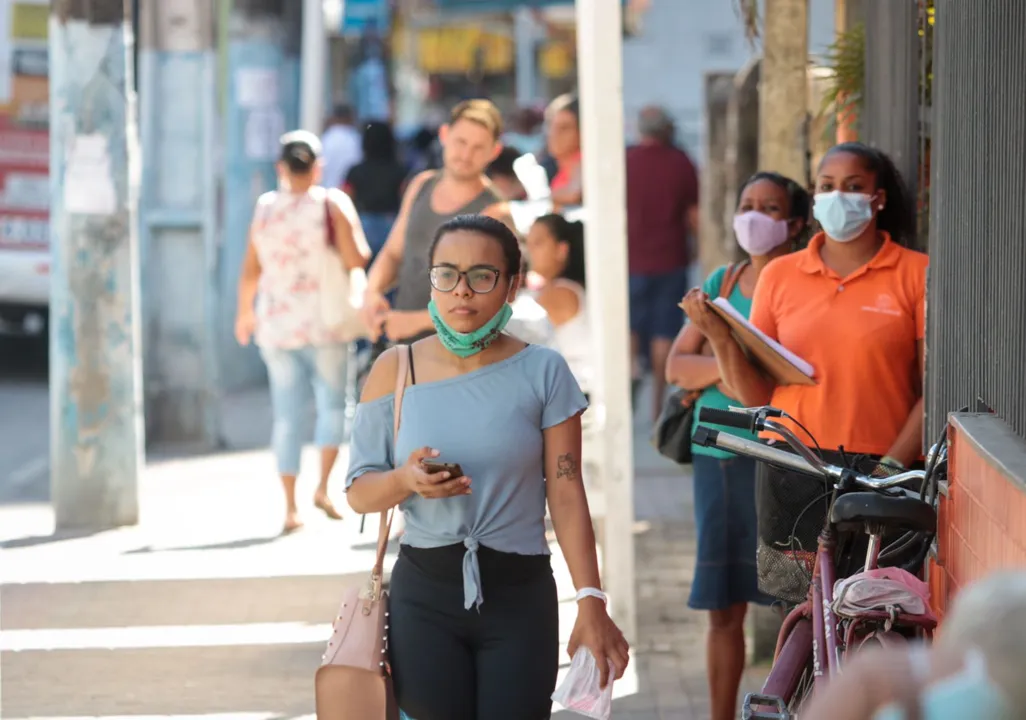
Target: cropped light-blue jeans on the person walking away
[[293, 375]]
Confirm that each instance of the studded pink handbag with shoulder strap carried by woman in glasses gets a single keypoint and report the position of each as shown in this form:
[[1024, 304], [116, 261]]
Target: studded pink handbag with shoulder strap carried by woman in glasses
[[353, 682]]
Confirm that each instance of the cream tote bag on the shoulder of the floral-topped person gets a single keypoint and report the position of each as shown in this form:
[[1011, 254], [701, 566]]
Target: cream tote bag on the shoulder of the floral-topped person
[[342, 291]]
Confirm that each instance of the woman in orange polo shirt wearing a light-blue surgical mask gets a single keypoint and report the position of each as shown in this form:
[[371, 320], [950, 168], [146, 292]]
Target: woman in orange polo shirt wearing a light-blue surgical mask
[[853, 305]]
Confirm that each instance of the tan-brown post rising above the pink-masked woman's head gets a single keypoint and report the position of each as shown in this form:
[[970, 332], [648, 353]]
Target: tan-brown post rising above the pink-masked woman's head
[[783, 91]]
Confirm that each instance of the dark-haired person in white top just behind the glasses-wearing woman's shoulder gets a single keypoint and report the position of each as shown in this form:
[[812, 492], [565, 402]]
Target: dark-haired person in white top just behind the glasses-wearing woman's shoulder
[[557, 281]]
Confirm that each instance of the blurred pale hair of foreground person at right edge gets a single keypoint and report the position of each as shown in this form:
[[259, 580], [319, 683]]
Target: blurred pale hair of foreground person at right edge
[[991, 616]]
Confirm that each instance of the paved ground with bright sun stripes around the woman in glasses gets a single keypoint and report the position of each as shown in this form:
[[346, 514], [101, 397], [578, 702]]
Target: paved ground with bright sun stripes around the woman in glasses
[[204, 612]]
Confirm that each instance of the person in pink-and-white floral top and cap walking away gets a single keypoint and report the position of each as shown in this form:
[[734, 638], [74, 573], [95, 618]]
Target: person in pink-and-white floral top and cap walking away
[[280, 303]]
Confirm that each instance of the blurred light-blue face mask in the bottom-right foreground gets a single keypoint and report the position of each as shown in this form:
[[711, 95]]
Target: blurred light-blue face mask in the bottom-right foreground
[[970, 694]]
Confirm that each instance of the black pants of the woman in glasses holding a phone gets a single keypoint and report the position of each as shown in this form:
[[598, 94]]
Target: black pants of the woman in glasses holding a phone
[[499, 663]]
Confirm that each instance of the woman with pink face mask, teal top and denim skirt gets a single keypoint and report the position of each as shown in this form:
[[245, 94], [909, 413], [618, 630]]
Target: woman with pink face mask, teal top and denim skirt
[[770, 222]]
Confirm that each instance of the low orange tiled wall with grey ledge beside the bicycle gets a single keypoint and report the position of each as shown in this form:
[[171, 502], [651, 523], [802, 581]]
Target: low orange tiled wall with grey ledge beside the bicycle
[[982, 517]]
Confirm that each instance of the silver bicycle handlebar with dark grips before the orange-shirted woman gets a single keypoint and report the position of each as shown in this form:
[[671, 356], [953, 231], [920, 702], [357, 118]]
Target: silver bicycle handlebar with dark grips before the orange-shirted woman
[[756, 420]]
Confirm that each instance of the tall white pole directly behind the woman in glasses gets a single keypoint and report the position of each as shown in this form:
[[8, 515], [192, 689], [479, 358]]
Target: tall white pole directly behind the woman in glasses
[[601, 79]]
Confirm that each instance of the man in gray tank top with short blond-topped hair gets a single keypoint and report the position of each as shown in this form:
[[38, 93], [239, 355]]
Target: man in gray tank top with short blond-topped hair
[[470, 143]]
